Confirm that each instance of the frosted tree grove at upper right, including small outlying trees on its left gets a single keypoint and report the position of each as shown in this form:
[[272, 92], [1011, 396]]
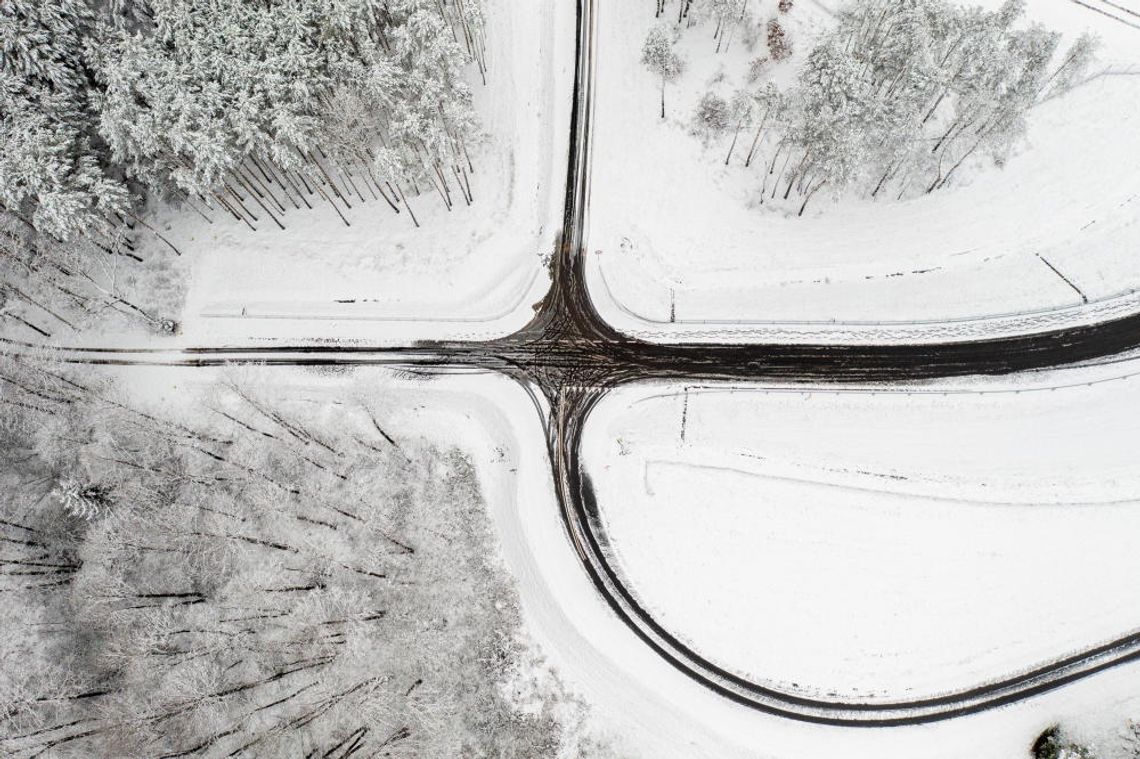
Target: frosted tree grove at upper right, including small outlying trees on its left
[[893, 101]]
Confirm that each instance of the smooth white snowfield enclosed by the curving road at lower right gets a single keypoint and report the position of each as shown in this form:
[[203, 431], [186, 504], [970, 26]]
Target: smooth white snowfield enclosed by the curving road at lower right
[[878, 545]]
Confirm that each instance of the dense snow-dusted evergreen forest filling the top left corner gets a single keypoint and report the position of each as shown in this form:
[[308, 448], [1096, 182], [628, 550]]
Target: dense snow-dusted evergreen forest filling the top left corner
[[231, 110]]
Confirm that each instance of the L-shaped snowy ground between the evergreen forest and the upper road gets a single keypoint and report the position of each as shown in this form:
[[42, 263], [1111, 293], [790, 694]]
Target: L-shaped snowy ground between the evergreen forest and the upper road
[[471, 272]]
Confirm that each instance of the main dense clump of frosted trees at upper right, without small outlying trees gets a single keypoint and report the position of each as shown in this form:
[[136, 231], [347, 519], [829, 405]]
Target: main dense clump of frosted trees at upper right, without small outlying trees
[[903, 96]]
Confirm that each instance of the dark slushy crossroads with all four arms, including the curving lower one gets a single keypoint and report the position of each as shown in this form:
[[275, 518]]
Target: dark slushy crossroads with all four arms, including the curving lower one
[[568, 358]]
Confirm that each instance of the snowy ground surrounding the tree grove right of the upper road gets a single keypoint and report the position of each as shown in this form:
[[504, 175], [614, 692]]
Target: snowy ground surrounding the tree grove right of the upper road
[[678, 238]]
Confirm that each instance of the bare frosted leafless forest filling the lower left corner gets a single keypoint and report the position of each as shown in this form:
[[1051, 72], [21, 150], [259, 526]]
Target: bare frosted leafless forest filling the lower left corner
[[276, 578]]
